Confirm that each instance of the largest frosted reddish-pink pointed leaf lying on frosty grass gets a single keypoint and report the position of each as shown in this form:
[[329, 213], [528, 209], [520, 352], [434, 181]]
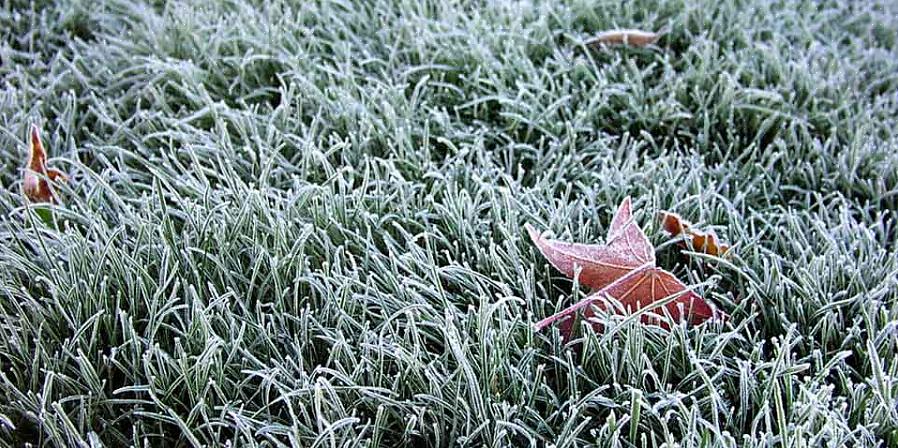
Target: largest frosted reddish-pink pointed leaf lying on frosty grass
[[624, 269]]
